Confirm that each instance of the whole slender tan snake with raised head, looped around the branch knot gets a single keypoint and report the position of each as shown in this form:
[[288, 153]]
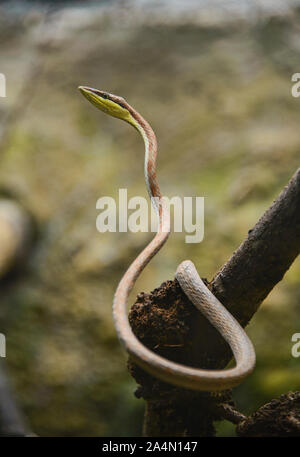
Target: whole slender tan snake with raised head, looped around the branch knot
[[186, 274]]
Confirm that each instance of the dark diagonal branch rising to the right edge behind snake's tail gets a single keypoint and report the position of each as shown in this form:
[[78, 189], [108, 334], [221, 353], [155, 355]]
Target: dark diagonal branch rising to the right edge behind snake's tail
[[254, 269]]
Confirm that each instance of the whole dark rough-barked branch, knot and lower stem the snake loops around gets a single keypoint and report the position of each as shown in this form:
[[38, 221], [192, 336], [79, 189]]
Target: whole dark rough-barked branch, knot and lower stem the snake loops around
[[241, 285]]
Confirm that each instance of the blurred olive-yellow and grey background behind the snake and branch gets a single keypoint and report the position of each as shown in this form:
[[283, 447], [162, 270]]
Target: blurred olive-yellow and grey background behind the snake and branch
[[214, 80]]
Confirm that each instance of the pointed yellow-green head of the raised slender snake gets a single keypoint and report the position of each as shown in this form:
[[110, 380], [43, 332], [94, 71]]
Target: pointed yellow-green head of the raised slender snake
[[108, 103]]
